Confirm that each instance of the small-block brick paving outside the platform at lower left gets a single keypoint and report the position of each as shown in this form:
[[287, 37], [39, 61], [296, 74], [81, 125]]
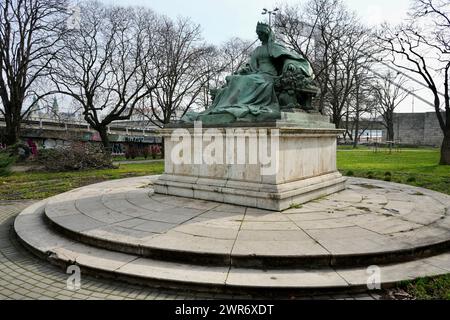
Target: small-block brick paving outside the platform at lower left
[[24, 276]]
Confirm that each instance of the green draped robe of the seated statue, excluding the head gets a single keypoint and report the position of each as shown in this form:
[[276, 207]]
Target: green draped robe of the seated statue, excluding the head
[[251, 95]]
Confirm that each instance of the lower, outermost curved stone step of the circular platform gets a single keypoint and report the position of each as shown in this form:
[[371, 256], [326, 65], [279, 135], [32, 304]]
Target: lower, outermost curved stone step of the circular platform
[[35, 234]]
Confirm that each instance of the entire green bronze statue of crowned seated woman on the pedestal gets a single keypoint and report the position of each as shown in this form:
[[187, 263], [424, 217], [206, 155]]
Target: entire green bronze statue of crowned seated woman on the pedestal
[[274, 79]]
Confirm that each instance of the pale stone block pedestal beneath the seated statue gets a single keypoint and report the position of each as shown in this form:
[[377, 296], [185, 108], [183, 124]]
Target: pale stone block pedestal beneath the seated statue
[[272, 166]]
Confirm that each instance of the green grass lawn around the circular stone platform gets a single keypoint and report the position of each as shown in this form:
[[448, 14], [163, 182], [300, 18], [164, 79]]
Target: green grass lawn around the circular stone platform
[[418, 167]]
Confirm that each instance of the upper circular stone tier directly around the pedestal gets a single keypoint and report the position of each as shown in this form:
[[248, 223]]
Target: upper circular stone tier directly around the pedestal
[[369, 223]]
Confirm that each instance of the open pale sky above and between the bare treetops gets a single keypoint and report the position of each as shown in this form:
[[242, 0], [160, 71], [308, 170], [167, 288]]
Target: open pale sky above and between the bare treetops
[[223, 19]]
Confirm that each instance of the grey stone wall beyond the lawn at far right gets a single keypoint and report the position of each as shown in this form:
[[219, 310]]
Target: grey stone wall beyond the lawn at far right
[[417, 129]]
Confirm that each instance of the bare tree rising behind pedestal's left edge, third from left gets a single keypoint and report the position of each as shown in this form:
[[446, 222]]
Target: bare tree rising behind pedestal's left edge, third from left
[[183, 68]]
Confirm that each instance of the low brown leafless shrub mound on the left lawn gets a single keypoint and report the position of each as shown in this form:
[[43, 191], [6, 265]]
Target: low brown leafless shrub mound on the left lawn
[[75, 156]]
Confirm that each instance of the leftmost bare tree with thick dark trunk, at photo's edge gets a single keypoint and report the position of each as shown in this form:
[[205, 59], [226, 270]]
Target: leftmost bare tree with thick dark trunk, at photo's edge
[[30, 38]]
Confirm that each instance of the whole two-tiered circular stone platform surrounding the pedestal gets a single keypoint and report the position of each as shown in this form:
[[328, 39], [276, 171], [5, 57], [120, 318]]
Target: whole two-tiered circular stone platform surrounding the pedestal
[[122, 229]]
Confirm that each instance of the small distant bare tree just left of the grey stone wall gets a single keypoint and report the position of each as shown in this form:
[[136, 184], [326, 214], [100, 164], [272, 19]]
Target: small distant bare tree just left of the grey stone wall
[[388, 95]]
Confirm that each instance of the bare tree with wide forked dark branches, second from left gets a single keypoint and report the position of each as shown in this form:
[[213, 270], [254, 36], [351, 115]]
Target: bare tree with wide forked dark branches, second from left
[[106, 63]]
